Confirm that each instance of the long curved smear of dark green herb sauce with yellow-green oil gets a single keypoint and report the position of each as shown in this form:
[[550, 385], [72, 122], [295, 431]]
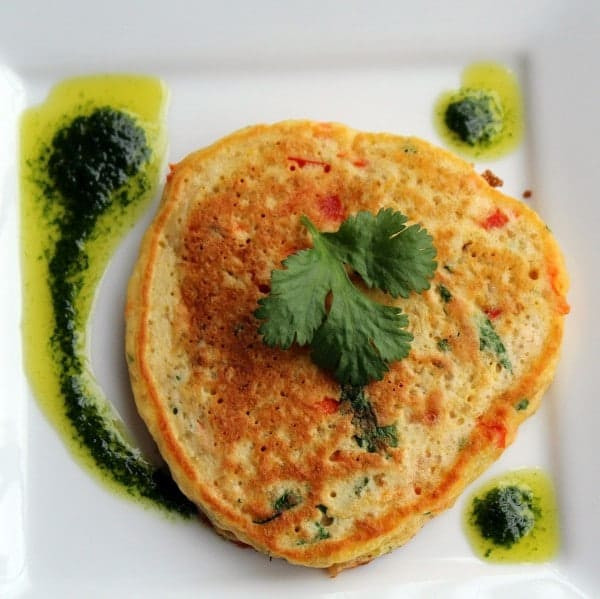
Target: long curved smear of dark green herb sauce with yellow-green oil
[[88, 169]]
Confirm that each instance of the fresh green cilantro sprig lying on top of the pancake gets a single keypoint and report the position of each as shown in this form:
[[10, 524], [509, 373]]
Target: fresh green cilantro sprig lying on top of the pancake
[[353, 336]]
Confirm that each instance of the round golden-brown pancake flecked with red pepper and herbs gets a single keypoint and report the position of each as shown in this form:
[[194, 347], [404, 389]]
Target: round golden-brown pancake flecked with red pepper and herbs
[[266, 443]]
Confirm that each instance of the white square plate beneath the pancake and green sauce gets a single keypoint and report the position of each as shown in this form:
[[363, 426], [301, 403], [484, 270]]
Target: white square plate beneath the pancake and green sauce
[[375, 66]]
